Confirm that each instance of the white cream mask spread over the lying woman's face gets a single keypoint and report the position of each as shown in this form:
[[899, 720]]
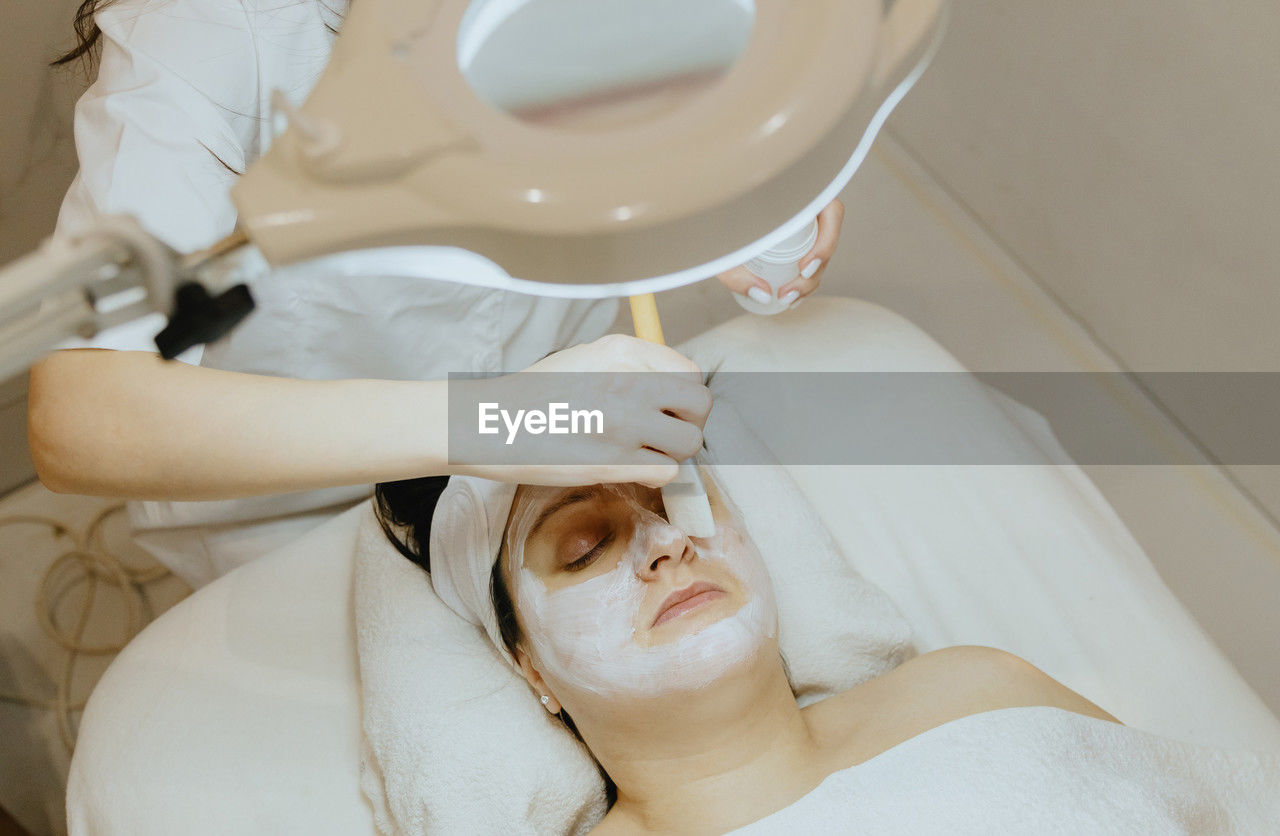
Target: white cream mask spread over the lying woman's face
[[588, 636]]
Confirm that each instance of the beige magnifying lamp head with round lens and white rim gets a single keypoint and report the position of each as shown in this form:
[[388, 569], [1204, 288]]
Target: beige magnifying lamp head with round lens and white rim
[[587, 148]]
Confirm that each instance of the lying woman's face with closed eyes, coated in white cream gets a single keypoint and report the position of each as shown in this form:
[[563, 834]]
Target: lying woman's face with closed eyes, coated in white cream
[[614, 600]]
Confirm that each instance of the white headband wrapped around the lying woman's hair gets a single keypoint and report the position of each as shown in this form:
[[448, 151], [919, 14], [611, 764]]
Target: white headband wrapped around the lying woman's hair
[[467, 537]]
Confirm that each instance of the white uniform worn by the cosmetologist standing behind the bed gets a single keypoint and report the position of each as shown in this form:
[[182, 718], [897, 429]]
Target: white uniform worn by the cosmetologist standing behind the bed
[[181, 99]]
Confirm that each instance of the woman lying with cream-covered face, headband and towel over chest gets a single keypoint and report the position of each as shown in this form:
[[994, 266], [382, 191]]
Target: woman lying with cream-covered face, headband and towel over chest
[[661, 654]]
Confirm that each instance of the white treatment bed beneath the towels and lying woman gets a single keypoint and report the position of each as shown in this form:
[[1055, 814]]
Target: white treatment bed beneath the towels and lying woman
[[240, 710]]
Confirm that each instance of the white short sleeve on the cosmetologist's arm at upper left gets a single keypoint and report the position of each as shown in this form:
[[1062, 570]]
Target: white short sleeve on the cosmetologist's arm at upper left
[[175, 100]]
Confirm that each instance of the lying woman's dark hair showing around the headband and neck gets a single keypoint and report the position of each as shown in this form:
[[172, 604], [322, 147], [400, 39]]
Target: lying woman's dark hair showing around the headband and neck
[[410, 506]]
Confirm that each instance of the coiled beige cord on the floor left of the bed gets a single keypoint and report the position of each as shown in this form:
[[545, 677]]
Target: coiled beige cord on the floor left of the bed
[[92, 564]]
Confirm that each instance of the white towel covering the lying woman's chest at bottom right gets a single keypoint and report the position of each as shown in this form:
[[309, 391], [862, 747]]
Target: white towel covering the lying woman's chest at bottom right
[[1041, 771]]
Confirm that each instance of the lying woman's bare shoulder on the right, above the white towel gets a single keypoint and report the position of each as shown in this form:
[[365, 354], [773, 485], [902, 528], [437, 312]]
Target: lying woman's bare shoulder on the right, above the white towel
[[935, 689]]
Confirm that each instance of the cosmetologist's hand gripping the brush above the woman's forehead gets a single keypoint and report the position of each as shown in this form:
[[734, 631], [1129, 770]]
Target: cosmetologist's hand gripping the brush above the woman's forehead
[[652, 398]]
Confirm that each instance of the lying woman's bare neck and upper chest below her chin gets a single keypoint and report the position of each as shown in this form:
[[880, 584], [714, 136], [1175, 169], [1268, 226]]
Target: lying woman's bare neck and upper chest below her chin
[[710, 761]]
